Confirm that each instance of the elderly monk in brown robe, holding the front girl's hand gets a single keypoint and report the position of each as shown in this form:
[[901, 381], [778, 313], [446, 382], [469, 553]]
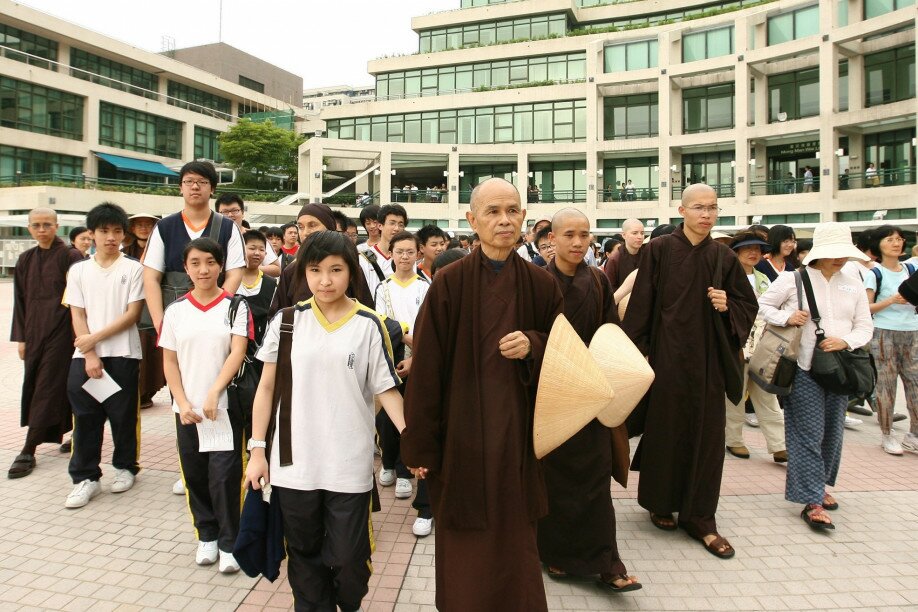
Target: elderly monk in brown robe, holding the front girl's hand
[[479, 342]]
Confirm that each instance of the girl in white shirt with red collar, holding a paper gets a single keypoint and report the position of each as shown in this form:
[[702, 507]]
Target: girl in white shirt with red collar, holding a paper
[[202, 351]]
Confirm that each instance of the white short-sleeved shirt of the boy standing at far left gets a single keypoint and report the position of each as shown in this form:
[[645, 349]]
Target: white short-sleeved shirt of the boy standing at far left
[[104, 293]]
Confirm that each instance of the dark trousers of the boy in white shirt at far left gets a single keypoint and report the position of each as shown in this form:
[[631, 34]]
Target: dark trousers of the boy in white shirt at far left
[[89, 415]]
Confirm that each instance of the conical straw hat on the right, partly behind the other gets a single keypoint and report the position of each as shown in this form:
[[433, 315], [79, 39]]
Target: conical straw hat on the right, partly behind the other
[[625, 368]]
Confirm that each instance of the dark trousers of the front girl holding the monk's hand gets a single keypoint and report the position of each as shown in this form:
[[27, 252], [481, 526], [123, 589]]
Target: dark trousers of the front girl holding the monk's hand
[[329, 543]]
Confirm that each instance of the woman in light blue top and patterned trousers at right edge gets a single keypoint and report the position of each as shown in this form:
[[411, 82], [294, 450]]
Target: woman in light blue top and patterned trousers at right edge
[[895, 335]]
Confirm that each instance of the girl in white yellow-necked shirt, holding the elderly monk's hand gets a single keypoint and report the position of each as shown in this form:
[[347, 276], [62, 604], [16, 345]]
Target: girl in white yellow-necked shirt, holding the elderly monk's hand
[[321, 460]]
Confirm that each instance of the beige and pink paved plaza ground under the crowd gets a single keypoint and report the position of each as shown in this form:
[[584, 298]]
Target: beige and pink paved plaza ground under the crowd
[[136, 550]]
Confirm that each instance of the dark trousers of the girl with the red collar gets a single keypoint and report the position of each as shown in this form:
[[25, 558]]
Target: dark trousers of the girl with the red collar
[[213, 484]]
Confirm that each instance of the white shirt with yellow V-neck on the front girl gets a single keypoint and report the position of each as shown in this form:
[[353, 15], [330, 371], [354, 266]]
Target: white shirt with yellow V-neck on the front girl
[[337, 369]]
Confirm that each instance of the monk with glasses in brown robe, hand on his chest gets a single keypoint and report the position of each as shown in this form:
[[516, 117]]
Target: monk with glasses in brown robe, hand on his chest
[[681, 454]]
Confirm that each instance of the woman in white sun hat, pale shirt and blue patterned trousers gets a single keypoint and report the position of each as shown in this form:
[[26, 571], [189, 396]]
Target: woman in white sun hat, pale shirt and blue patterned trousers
[[814, 417]]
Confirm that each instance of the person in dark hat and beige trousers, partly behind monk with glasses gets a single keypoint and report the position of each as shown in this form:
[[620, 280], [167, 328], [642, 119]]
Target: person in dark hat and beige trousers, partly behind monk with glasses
[[749, 248]]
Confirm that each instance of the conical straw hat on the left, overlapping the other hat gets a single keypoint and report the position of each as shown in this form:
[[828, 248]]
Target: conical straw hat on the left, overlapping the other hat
[[572, 389]]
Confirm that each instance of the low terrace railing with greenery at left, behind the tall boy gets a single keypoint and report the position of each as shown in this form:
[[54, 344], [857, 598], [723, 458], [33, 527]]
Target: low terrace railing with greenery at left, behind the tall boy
[[55, 179]]
